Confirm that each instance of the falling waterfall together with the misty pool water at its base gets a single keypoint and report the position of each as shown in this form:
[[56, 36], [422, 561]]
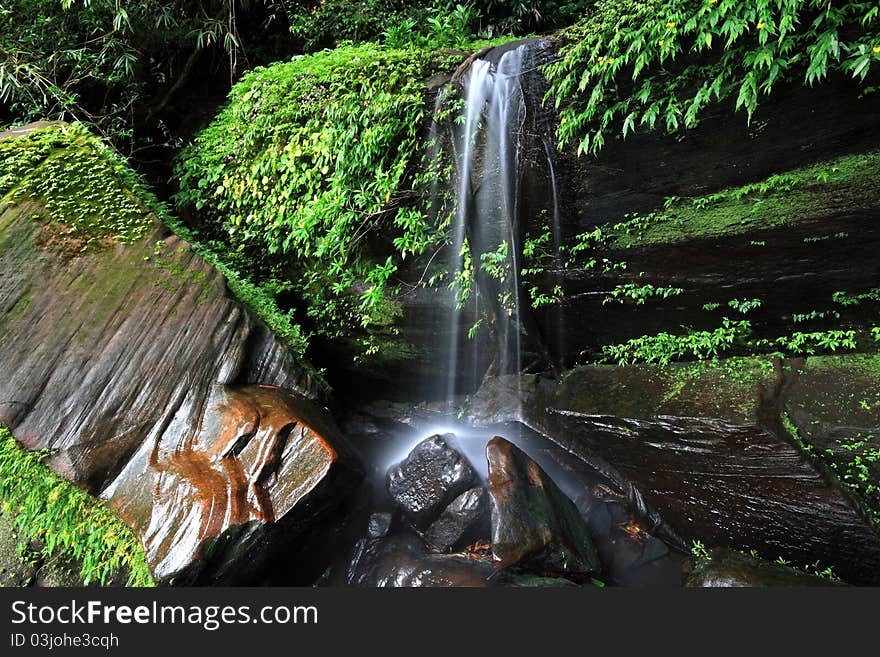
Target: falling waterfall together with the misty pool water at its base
[[500, 142]]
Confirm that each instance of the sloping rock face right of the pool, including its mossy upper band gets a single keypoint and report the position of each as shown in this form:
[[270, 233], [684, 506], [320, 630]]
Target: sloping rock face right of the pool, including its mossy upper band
[[726, 473]]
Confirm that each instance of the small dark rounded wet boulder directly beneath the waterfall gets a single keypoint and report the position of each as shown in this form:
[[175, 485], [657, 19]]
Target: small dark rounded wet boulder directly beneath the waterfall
[[428, 479]]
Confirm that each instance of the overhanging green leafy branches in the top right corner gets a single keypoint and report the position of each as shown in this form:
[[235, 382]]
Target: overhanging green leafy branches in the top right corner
[[661, 63]]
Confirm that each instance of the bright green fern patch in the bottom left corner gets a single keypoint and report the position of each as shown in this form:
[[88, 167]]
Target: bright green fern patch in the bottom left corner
[[65, 519]]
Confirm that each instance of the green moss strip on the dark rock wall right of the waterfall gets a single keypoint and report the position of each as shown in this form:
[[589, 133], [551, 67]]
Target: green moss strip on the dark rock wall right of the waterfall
[[797, 197]]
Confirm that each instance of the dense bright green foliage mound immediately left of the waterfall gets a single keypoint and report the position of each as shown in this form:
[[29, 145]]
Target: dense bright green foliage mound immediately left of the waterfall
[[305, 173]]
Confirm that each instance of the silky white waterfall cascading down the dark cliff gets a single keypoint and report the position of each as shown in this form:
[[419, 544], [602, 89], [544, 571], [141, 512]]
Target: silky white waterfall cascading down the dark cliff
[[492, 132]]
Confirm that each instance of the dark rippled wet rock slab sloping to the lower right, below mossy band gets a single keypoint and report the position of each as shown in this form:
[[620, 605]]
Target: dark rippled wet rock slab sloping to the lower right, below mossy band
[[700, 472]]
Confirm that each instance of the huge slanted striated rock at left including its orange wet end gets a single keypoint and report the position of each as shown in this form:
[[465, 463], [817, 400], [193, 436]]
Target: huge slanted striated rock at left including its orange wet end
[[133, 364]]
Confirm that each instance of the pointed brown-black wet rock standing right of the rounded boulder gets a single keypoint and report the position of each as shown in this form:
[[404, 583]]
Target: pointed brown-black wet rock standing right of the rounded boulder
[[533, 522]]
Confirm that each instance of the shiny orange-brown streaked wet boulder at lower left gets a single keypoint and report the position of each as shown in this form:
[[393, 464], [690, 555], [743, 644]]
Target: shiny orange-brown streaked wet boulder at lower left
[[261, 456]]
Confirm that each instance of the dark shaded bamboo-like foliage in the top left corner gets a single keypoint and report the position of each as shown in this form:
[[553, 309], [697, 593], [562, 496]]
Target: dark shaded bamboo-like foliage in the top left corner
[[115, 63]]
